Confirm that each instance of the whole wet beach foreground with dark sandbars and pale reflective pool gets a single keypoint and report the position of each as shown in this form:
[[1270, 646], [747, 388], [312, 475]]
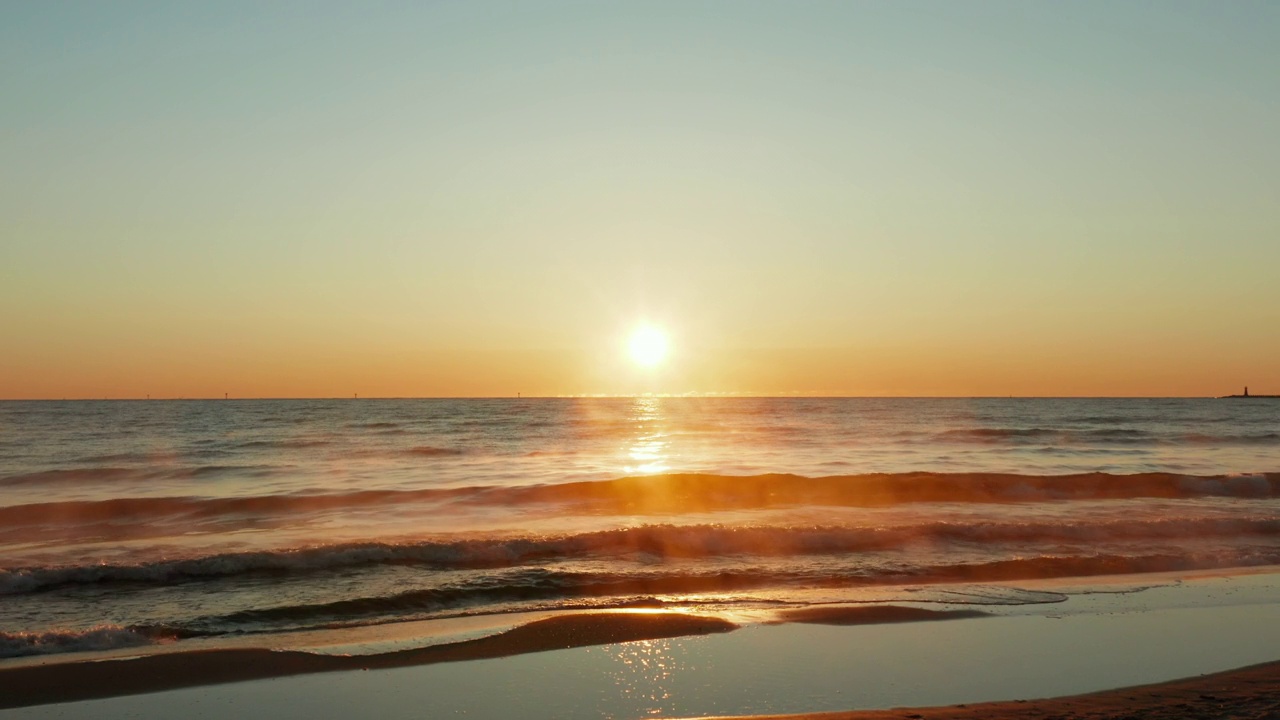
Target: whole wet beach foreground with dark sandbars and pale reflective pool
[[1177, 644]]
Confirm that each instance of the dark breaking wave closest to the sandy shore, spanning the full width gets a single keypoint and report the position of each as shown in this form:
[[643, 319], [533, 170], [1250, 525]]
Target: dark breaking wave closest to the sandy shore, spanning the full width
[[559, 589]]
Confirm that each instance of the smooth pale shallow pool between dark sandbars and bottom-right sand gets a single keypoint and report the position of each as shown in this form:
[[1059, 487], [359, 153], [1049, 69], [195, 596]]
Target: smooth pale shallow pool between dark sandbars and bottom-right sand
[[1121, 641]]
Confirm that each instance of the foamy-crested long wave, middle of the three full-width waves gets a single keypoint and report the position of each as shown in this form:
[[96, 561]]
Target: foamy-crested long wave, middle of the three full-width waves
[[643, 544]]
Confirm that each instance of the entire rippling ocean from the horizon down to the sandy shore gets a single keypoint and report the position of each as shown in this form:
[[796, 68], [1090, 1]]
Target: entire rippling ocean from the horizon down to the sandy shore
[[131, 523]]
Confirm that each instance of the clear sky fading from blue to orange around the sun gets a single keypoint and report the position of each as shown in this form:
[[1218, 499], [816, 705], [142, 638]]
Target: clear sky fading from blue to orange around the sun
[[482, 199]]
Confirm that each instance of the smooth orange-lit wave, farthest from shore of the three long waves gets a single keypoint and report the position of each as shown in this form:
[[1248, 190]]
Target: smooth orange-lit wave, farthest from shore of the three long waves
[[668, 495]]
